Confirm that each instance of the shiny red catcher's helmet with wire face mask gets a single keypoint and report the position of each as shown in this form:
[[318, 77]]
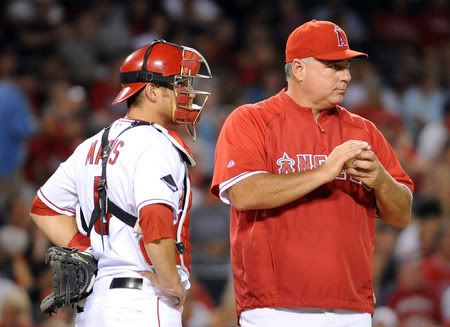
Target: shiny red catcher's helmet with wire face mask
[[169, 65]]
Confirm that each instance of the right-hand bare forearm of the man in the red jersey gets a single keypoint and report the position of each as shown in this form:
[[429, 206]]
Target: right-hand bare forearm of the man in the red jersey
[[394, 202]]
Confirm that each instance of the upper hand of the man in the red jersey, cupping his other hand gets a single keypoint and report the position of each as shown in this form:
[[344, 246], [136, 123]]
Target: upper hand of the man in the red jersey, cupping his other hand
[[341, 156]]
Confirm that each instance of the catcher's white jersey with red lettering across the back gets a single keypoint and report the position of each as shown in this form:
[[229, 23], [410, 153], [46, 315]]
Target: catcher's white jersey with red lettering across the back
[[145, 166]]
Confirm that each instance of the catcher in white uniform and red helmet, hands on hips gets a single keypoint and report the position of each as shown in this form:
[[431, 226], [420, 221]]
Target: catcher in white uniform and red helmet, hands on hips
[[127, 193]]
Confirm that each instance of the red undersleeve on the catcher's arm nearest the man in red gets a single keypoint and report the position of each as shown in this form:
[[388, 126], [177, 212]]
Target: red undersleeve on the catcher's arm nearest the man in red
[[156, 221]]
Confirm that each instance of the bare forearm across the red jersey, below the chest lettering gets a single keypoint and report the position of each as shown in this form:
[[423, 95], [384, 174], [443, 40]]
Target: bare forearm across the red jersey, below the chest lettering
[[266, 191]]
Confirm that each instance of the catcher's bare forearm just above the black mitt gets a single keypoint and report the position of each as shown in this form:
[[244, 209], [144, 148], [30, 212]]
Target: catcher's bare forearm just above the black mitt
[[59, 229]]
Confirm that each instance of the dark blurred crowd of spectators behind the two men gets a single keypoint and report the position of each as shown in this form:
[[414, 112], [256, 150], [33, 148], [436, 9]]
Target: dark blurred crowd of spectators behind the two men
[[59, 63]]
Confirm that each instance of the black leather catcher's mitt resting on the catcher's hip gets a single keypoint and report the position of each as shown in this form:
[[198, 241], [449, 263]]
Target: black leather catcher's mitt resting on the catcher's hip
[[73, 277]]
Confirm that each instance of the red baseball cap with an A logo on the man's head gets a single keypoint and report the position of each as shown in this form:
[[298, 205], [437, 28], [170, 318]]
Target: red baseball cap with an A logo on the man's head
[[321, 40]]
